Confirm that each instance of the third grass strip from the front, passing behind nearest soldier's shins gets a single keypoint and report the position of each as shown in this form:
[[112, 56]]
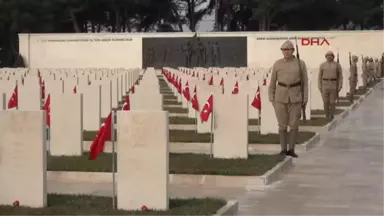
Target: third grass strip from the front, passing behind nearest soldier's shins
[[190, 136]]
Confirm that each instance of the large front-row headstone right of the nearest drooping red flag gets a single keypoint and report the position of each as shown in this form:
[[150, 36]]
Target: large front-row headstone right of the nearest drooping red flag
[[142, 180]]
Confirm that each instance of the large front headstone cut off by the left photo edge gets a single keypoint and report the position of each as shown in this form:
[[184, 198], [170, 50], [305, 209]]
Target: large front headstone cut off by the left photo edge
[[23, 158]]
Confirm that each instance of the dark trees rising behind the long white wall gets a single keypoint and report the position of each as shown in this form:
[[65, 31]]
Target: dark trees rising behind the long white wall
[[49, 16]]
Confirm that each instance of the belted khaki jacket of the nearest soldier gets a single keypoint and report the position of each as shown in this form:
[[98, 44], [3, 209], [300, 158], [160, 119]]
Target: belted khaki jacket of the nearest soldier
[[287, 72]]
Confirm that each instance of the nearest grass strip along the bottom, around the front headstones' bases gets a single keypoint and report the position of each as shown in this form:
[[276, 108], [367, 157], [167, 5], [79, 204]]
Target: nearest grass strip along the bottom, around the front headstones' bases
[[80, 205]]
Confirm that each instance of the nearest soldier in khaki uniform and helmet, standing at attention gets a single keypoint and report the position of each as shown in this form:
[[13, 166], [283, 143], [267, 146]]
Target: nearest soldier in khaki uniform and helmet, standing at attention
[[285, 93]]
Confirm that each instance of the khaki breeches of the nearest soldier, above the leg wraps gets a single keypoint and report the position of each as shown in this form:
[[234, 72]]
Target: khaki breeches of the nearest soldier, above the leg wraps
[[288, 114]]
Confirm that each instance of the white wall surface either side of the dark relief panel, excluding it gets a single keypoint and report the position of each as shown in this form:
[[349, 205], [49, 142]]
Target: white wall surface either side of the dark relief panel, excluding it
[[125, 50]]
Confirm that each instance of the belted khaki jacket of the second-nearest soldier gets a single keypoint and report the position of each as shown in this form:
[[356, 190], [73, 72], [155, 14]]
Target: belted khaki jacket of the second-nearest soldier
[[330, 76]]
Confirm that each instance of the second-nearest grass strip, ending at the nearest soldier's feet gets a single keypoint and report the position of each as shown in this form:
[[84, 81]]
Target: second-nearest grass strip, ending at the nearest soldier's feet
[[255, 165]]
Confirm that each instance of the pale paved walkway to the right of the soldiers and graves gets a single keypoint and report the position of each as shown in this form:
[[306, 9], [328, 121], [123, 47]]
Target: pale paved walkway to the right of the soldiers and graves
[[343, 176]]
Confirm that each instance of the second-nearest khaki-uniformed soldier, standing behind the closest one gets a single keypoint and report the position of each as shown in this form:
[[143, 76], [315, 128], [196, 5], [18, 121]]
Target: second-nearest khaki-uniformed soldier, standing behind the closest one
[[330, 82]]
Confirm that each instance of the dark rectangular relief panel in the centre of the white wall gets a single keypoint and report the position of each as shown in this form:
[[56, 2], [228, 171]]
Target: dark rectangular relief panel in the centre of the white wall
[[195, 52]]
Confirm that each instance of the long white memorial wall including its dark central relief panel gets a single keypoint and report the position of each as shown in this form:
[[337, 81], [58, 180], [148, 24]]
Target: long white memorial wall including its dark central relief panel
[[226, 49]]
